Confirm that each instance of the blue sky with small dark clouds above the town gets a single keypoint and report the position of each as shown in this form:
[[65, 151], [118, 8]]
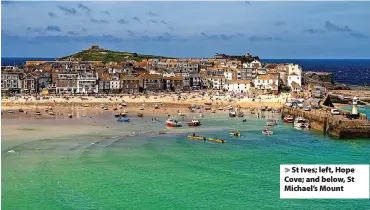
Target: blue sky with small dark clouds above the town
[[188, 29]]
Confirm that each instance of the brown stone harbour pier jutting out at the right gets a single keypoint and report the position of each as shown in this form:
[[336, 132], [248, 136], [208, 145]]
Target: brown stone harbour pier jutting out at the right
[[335, 125]]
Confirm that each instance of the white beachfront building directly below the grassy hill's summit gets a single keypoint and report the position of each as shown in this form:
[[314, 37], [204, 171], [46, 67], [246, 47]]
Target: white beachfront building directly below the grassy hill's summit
[[87, 83]]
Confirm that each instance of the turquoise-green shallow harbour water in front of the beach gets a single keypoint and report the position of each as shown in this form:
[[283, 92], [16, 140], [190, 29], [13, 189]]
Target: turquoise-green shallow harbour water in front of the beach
[[154, 171]]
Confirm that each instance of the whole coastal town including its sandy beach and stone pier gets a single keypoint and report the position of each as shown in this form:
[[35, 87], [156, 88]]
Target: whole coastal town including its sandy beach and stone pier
[[240, 82]]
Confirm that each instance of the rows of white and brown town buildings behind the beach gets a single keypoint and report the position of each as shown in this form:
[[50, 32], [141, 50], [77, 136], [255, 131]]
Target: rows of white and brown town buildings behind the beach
[[154, 75]]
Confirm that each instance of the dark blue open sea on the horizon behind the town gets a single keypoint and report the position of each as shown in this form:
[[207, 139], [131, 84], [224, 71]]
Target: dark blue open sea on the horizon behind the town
[[346, 71]]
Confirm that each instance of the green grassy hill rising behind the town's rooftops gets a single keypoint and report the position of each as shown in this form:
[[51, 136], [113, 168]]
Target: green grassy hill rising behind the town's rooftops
[[99, 54]]
